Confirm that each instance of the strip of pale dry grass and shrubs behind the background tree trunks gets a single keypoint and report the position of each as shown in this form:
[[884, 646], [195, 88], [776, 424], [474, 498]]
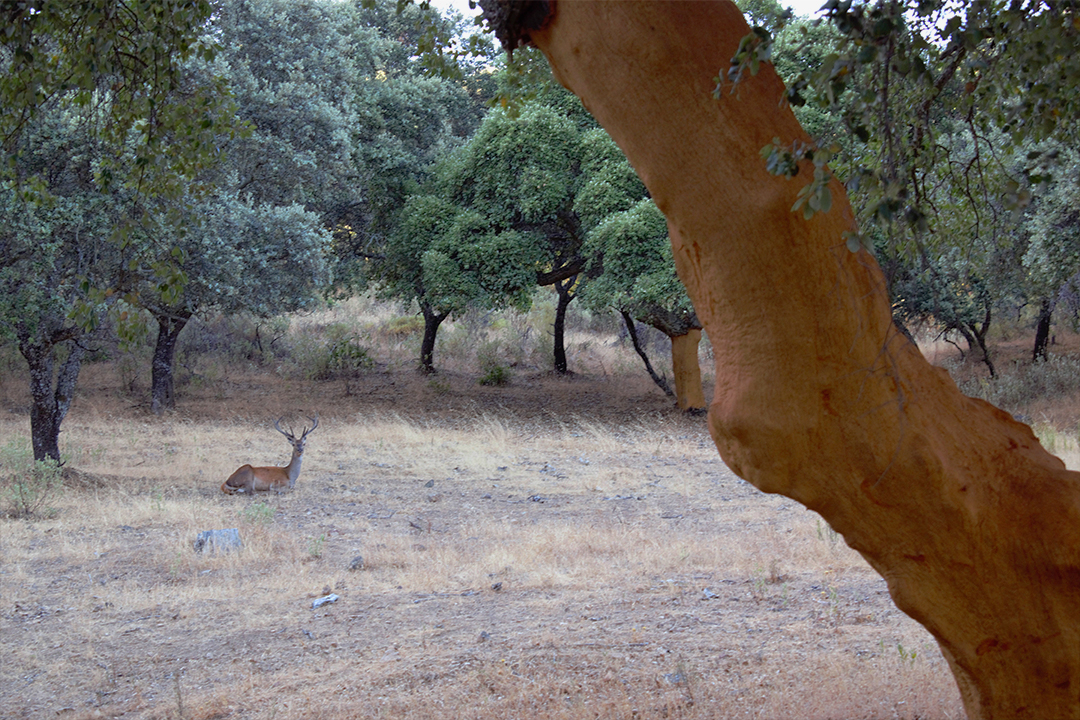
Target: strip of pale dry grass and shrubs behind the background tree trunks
[[361, 335]]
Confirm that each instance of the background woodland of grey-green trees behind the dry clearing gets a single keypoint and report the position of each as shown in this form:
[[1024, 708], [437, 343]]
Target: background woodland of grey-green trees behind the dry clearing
[[299, 157]]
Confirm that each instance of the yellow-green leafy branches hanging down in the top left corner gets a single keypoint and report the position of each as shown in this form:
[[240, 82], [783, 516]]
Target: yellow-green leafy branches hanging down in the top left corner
[[118, 66]]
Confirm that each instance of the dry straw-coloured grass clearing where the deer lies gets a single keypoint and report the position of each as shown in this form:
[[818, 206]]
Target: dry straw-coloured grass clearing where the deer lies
[[556, 549]]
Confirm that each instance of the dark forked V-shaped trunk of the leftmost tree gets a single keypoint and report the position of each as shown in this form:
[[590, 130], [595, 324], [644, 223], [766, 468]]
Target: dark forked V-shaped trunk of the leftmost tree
[[51, 392]]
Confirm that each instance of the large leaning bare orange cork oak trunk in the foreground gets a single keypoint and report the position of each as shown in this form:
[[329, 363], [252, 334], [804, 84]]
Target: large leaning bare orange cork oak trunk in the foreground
[[974, 525]]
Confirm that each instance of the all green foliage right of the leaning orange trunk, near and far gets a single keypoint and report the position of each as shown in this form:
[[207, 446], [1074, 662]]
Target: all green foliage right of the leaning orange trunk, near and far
[[947, 121]]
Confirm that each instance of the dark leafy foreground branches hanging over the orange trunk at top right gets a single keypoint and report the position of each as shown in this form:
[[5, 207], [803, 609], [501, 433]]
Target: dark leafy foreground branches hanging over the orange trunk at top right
[[901, 78]]
